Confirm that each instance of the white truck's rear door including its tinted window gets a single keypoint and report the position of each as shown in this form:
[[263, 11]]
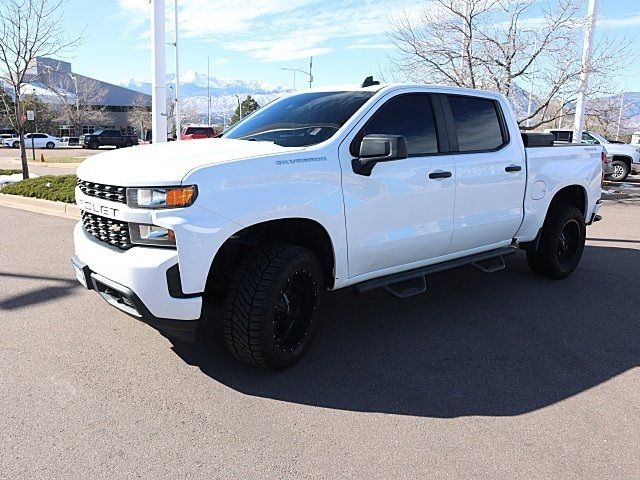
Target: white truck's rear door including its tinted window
[[490, 173]]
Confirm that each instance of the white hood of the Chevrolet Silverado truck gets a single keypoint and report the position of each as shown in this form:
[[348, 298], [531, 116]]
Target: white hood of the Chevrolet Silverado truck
[[168, 163]]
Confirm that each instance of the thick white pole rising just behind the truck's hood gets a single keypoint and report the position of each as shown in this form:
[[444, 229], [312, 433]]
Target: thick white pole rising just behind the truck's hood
[[159, 73]]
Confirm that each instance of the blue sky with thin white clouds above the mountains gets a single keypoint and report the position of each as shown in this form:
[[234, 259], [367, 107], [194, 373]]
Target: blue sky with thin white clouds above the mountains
[[252, 40]]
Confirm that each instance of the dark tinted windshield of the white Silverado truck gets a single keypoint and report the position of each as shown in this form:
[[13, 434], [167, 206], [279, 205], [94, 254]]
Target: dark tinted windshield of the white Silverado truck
[[300, 120]]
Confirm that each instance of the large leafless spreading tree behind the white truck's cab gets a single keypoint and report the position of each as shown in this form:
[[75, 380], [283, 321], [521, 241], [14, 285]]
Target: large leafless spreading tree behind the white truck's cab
[[498, 45]]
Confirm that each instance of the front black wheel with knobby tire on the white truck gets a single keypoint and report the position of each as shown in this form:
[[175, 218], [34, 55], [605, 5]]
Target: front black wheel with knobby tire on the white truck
[[271, 310]]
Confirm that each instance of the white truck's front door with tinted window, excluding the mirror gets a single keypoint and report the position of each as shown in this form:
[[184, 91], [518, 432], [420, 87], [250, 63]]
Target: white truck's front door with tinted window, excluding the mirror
[[403, 212]]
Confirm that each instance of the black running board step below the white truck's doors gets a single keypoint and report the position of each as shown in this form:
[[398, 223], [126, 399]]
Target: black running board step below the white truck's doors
[[476, 260]]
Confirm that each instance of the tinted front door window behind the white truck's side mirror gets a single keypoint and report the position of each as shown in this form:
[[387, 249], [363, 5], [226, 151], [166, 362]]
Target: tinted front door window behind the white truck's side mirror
[[408, 115]]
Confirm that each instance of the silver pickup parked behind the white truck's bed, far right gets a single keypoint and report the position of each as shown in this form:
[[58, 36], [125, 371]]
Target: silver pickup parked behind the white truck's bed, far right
[[625, 158]]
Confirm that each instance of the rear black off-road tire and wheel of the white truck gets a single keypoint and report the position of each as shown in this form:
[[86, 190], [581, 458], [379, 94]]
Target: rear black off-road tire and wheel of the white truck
[[561, 244]]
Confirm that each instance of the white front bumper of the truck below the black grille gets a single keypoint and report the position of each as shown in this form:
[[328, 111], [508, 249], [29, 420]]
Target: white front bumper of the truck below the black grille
[[136, 282]]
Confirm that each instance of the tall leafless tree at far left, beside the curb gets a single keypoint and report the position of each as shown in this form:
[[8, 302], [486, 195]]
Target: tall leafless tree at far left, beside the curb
[[28, 29]]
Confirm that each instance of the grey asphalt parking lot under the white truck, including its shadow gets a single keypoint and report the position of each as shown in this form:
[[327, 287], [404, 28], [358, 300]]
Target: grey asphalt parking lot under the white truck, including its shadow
[[486, 376]]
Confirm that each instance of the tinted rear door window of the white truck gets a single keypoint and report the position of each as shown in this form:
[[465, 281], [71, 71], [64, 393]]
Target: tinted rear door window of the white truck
[[477, 123]]
